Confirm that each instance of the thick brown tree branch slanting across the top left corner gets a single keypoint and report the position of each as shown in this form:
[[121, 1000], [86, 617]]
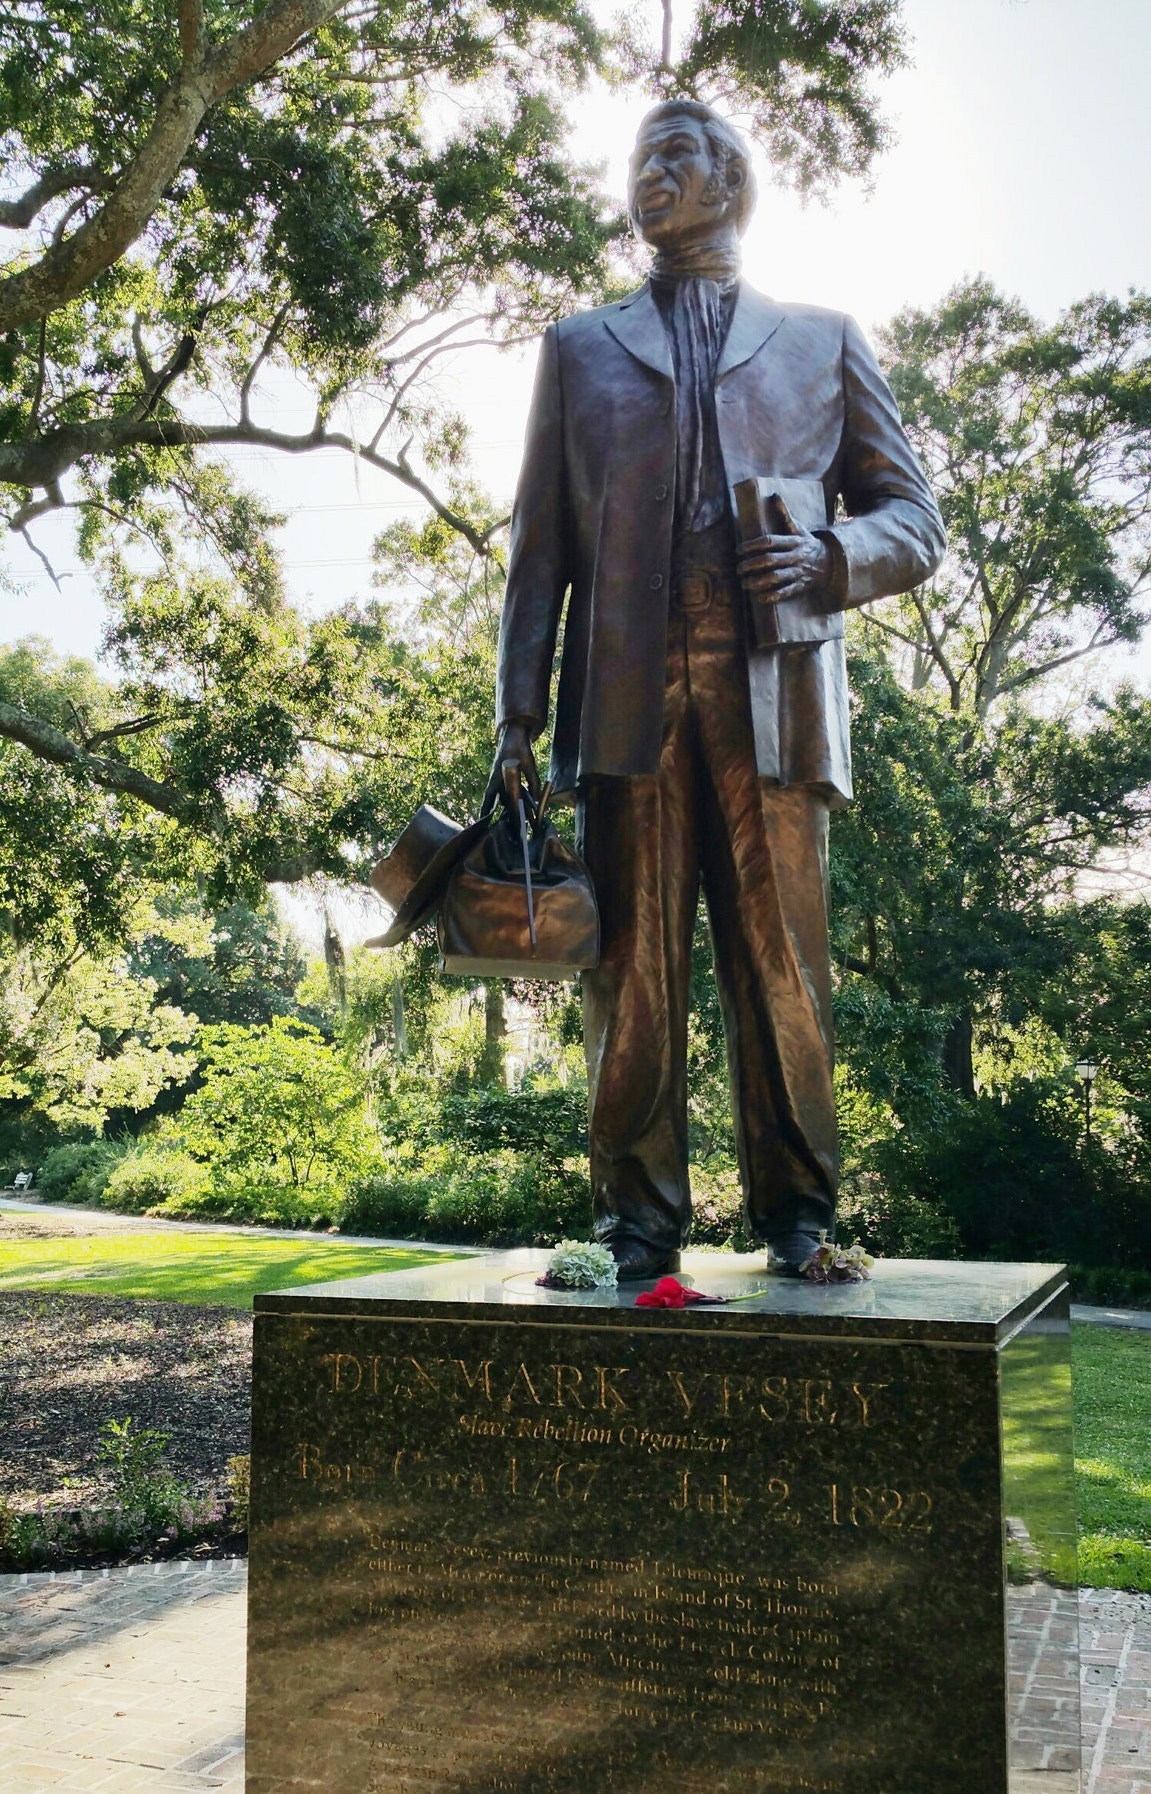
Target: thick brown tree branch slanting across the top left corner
[[69, 268]]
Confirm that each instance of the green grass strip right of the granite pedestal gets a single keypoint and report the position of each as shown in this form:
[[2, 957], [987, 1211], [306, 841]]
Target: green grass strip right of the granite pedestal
[[1112, 1382]]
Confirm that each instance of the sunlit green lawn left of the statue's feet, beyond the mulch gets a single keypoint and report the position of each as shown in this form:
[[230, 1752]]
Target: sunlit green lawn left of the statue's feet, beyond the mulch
[[191, 1267]]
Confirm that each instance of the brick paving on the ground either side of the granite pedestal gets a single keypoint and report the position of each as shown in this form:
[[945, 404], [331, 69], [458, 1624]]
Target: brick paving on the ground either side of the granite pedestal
[[132, 1682]]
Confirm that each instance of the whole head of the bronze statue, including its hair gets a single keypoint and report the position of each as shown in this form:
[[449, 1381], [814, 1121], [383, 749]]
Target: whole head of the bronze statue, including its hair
[[689, 177]]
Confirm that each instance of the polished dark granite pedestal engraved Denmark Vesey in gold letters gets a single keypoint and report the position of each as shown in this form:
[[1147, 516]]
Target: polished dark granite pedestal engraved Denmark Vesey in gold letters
[[524, 1542]]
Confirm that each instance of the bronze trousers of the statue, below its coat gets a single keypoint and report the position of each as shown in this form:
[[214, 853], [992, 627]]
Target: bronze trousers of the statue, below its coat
[[761, 855]]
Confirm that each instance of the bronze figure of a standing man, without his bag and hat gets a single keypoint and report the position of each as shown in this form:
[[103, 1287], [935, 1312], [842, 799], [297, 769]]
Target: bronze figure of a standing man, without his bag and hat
[[697, 756]]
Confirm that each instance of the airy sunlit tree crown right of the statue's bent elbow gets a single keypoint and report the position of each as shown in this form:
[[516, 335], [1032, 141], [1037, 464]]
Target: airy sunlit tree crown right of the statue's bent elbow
[[1035, 439]]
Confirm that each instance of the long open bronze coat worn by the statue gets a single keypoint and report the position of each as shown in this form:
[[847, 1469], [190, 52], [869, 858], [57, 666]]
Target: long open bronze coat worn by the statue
[[799, 396]]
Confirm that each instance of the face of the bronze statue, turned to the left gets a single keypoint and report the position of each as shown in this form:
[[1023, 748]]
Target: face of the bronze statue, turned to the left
[[673, 189]]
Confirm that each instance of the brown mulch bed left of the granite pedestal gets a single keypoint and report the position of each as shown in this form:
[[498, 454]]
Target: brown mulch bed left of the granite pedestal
[[73, 1363]]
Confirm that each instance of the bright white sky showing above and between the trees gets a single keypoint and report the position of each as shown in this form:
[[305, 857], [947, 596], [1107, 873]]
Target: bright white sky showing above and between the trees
[[1025, 153]]
